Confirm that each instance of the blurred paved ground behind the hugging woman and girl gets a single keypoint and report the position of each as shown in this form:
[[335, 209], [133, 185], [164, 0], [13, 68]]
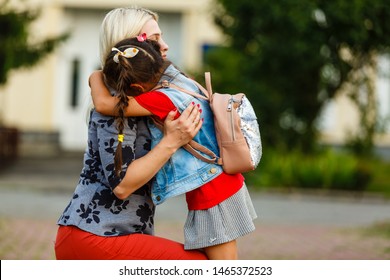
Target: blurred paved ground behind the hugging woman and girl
[[33, 193]]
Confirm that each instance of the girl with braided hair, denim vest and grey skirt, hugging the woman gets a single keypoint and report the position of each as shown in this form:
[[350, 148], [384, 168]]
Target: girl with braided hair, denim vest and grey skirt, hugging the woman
[[220, 209]]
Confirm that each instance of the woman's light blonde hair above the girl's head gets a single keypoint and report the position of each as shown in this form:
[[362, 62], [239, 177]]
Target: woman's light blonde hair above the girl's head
[[121, 23]]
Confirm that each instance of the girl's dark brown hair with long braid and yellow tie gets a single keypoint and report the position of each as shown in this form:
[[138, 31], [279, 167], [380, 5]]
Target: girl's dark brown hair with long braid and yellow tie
[[130, 76]]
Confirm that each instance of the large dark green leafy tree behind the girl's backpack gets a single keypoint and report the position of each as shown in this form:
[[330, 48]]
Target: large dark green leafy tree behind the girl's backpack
[[290, 57]]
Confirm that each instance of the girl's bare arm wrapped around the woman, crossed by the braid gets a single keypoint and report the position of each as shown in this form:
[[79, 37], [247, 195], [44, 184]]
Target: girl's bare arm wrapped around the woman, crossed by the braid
[[105, 103]]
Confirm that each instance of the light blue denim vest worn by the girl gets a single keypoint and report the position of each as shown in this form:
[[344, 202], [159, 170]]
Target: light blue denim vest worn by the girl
[[184, 172]]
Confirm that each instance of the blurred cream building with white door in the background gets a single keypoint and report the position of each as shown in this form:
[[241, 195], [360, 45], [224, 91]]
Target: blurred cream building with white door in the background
[[49, 102]]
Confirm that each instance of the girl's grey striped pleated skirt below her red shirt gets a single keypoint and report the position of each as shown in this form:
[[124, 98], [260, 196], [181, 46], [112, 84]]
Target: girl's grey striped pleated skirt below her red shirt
[[222, 223]]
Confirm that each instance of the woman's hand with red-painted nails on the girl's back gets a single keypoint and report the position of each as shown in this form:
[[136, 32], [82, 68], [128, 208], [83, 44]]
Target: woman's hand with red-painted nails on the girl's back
[[181, 131]]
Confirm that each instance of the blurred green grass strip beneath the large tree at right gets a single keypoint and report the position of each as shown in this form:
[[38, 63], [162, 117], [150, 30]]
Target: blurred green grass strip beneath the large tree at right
[[329, 170]]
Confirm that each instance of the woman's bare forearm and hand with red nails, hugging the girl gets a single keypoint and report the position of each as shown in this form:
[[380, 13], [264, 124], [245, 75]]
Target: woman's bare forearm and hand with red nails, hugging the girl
[[176, 134]]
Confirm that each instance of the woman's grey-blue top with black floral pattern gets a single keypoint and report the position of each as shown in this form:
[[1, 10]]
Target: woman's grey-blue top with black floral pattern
[[94, 207]]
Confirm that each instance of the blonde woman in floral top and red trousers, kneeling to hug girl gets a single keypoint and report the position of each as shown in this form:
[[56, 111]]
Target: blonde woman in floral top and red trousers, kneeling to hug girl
[[99, 223]]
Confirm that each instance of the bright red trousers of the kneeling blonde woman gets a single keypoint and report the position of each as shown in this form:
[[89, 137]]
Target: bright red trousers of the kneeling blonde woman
[[75, 244]]
